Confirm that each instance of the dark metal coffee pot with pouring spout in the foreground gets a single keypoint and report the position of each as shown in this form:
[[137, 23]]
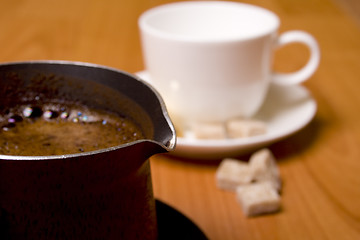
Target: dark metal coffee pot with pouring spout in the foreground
[[103, 194]]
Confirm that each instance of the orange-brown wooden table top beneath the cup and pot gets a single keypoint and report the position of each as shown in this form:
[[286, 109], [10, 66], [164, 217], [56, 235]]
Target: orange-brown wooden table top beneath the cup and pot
[[320, 165]]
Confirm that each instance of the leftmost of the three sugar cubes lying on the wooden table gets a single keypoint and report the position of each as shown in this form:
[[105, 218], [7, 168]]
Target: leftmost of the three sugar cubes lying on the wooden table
[[231, 173]]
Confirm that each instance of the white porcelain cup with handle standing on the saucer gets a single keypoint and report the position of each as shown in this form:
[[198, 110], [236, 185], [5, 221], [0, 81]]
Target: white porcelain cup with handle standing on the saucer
[[211, 60]]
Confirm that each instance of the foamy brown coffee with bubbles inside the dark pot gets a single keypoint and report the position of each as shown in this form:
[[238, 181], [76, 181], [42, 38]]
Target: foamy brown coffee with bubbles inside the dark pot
[[57, 129]]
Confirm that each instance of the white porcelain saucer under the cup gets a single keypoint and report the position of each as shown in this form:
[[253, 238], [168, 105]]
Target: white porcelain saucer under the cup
[[285, 111]]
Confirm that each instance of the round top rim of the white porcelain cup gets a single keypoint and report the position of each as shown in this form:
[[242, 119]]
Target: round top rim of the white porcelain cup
[[146, 27]]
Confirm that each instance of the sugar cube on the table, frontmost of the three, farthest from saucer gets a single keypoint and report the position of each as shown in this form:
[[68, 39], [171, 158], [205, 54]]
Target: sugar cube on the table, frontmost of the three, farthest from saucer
[[258, 198]]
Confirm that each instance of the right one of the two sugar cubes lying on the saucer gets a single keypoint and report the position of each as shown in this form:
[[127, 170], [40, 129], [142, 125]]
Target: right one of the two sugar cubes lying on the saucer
[[239, 128]]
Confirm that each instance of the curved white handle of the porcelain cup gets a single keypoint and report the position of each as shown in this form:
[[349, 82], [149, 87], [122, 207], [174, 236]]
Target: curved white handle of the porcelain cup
[[306, 72]]
